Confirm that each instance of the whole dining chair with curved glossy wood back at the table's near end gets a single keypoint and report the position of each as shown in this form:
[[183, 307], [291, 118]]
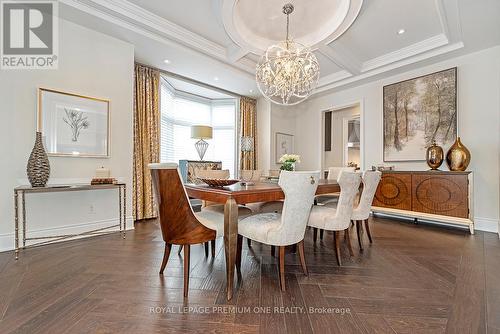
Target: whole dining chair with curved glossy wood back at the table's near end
[[179, 224]]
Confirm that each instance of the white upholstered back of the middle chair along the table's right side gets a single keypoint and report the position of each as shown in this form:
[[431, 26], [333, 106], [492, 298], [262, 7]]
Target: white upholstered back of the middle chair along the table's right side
[[349, 187]]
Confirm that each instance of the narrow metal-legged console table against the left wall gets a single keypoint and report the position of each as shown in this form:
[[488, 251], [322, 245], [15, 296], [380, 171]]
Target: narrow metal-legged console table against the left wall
[[20, 205]]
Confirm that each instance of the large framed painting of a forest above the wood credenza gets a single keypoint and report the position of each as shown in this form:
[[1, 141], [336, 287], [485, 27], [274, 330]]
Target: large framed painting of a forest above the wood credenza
[[418, 112]]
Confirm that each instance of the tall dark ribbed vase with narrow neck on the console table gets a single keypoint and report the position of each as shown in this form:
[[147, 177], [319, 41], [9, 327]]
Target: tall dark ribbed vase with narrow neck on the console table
[[38, 168]]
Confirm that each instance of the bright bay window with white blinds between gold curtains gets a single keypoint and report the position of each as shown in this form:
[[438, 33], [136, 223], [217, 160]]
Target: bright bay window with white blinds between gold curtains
[[179, 111]]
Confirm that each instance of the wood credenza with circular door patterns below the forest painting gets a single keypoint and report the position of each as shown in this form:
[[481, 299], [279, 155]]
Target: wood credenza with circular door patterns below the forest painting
[[431, 195]]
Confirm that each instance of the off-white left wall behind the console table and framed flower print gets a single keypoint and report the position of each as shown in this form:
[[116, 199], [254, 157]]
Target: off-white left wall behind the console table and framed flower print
[[90, 64]]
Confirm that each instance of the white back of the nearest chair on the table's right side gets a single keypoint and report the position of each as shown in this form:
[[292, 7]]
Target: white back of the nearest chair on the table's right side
[[299, 189]]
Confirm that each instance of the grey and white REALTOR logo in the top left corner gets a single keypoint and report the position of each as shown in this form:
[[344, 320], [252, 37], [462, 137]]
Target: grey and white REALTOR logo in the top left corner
[[29, 34]]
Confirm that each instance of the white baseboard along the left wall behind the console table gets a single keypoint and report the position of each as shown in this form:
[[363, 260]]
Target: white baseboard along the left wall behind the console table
[[7, 242]]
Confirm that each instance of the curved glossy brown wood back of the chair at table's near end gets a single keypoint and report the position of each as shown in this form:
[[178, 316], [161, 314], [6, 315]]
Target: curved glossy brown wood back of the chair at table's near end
[[177, 221]]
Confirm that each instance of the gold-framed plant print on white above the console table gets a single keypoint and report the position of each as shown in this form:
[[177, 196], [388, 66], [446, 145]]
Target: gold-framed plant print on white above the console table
[[73, 125]]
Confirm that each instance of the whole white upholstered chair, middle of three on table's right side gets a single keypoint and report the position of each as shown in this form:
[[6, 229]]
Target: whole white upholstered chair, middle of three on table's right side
[[339, 218]]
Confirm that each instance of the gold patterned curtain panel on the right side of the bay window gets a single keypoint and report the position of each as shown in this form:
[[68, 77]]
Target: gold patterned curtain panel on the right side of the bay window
[[248, 128]]
